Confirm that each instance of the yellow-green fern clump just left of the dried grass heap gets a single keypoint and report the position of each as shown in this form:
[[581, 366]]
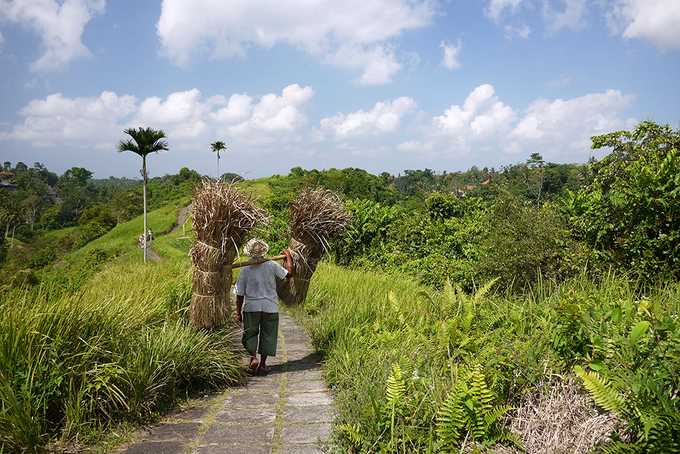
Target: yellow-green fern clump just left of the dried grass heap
[[469, 413]]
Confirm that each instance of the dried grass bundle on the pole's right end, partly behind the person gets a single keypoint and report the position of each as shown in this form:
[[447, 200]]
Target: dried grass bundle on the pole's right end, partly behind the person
[[317, 216]]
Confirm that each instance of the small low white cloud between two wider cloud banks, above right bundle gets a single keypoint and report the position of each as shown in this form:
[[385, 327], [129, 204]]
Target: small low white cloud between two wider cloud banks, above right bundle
[[384, 117]]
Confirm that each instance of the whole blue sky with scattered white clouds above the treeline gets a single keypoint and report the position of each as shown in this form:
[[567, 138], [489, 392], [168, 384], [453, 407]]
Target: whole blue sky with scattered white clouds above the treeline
[[378, 84]]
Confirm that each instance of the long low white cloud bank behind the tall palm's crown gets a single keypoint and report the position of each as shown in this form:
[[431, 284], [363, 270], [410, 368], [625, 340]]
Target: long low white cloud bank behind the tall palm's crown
[[187, 117]]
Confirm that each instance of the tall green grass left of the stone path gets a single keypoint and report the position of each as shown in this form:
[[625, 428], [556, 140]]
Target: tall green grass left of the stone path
[[117, 349]]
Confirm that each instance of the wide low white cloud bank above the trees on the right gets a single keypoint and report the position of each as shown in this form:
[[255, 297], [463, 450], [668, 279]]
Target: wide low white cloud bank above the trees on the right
[[483, 125]]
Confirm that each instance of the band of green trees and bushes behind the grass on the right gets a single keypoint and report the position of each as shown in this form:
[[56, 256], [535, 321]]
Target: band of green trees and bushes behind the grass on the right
[[520, 224]]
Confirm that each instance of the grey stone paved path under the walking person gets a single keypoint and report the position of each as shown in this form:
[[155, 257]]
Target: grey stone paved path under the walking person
[[288, 411]]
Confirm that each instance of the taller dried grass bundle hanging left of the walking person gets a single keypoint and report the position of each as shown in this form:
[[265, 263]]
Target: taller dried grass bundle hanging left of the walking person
[[222, 216]]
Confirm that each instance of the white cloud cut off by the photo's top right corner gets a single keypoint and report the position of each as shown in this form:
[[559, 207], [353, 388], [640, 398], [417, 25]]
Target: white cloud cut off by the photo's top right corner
[[657, 21]]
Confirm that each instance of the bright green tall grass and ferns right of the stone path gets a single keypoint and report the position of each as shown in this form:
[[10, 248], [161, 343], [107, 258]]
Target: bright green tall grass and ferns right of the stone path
[[417, 370]]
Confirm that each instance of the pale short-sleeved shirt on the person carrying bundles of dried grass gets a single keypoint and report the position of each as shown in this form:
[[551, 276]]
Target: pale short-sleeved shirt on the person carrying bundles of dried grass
[[257, 285]]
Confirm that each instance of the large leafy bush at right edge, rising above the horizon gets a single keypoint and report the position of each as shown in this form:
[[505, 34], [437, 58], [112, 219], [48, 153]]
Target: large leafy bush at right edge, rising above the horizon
[[630, 210]]
